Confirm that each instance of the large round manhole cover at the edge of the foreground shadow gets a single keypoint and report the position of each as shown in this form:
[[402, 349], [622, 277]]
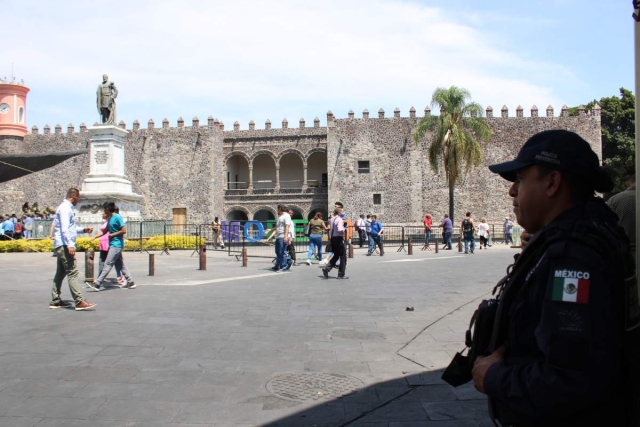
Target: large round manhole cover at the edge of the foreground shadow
[[313, 386]]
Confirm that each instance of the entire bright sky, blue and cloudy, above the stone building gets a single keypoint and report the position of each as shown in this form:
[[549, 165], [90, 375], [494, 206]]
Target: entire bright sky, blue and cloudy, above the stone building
[[258, 59]]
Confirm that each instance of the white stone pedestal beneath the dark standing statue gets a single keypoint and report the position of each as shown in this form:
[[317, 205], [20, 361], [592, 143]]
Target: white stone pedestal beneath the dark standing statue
[[107, 181]]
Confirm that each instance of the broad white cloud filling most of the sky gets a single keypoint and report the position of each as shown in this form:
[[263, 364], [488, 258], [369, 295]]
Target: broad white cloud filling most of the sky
[[243, 60]]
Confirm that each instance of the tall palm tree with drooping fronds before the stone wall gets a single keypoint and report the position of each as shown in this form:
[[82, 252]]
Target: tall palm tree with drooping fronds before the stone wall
[[458, 129]]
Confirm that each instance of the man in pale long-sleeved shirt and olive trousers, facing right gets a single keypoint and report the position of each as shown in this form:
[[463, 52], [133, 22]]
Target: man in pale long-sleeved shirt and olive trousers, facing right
[[65, 232]]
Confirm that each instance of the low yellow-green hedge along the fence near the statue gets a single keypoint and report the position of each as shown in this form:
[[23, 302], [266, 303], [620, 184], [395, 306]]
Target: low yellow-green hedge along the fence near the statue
[[84, 244]]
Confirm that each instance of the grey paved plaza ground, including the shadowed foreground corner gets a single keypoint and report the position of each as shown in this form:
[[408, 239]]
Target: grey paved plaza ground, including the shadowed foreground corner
[[234, 346]]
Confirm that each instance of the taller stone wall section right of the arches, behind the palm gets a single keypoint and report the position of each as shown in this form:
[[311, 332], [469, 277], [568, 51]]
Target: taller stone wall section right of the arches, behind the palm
[[401, 174]]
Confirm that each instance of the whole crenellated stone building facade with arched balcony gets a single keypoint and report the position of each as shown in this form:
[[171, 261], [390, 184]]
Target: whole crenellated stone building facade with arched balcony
[[371, 164]]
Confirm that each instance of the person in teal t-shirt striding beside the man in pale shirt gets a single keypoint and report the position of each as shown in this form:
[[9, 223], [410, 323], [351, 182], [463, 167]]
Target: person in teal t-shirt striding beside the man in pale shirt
[[117, 230]]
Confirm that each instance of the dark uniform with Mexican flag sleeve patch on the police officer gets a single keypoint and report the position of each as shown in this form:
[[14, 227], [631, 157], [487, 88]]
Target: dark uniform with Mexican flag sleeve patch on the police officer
[[560, 317]]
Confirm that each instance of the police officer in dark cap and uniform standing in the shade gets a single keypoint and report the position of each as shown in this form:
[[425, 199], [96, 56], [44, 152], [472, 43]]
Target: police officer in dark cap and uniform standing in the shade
[[565, 344]]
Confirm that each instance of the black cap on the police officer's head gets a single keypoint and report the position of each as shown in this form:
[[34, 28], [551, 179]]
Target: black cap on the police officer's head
[[559, 150]]
